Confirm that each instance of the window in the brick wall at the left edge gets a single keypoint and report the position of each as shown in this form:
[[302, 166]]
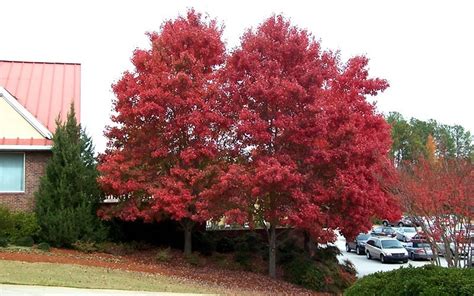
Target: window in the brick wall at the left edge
[[12, 172]]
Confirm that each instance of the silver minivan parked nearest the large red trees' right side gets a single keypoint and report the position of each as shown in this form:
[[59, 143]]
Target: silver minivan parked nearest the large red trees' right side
[[386, 249]]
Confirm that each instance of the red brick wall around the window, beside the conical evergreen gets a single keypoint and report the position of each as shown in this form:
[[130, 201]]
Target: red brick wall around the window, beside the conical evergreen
[[35, 166]]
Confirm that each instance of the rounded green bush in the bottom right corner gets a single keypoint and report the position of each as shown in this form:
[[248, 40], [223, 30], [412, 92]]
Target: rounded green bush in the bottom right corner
[[426, 280]]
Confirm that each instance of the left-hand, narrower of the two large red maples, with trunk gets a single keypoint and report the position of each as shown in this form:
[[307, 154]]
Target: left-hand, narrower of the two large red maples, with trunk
[[163, 146]]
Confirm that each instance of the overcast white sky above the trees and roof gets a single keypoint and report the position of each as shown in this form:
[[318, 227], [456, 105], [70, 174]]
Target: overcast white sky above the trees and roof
[[424, 48]]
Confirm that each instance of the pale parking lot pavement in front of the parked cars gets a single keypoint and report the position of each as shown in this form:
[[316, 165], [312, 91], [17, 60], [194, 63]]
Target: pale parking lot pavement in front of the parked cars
[[365, 266]]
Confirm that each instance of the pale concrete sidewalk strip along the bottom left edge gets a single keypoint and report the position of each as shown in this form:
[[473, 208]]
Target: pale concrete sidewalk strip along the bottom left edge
[[20, 290]]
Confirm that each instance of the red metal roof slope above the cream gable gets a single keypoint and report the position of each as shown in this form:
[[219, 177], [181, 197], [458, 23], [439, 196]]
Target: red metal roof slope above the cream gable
[[46, 90]]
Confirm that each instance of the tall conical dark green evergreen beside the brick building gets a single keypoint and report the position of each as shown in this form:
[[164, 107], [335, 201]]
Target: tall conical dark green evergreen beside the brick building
[[68, 195]]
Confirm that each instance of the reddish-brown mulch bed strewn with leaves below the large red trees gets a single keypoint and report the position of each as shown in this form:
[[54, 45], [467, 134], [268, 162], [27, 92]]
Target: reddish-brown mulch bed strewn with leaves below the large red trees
[[232, 281]]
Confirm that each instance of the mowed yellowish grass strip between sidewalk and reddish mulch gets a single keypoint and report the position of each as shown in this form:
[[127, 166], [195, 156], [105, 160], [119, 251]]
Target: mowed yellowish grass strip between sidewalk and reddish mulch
[[77, 276]]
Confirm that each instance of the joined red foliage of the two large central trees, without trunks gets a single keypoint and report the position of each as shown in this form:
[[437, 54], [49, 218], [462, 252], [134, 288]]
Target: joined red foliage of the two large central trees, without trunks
[[304, 147]]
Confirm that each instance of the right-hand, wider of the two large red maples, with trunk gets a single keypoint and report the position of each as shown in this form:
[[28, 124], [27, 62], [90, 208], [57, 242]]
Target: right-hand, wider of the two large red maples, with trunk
[[311, 151]]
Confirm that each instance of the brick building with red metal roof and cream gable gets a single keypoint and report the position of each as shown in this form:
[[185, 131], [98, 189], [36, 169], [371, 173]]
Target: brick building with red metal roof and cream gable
[[32, 96]]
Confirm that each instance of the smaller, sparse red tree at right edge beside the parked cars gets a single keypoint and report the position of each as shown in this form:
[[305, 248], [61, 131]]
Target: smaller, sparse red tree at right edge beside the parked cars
[[438, 194]]
